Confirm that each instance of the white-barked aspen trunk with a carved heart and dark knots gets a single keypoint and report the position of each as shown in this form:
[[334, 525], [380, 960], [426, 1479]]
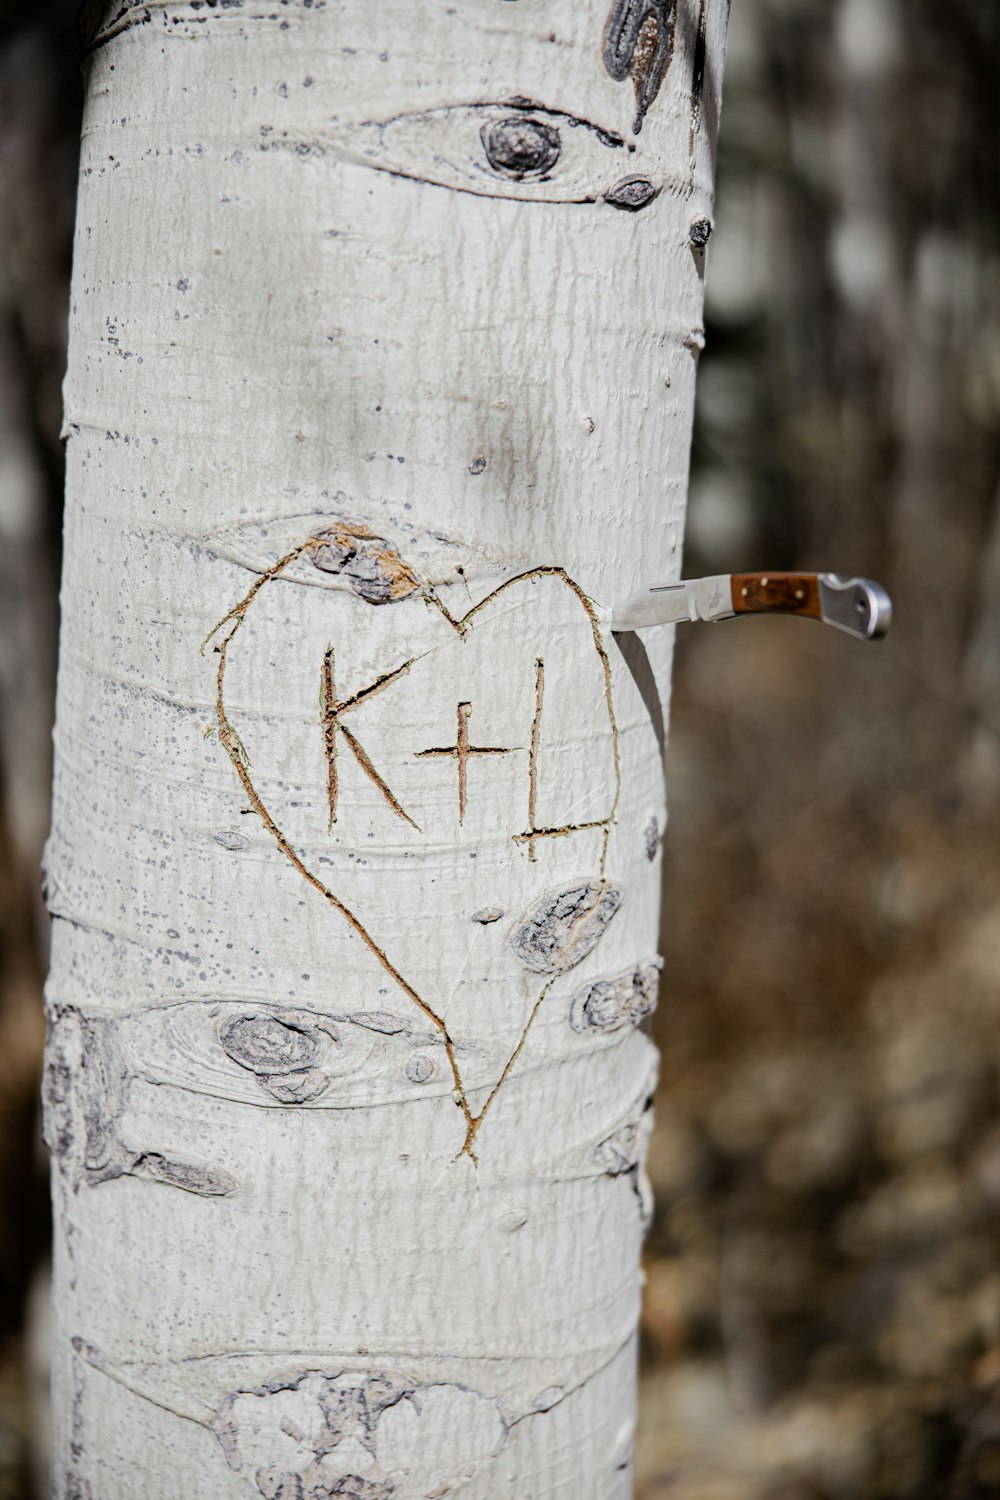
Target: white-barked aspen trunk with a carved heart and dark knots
[[385, 334]]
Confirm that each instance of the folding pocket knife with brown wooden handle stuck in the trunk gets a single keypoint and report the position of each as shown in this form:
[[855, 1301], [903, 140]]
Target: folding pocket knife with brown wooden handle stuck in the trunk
[[855, 605]]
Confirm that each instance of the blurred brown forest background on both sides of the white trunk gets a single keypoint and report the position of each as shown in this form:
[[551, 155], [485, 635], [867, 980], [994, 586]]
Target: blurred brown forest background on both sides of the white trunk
[[824, 1273]]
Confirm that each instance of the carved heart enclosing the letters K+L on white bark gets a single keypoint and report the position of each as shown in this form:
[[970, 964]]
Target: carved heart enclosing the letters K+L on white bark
[[522, 770]]
